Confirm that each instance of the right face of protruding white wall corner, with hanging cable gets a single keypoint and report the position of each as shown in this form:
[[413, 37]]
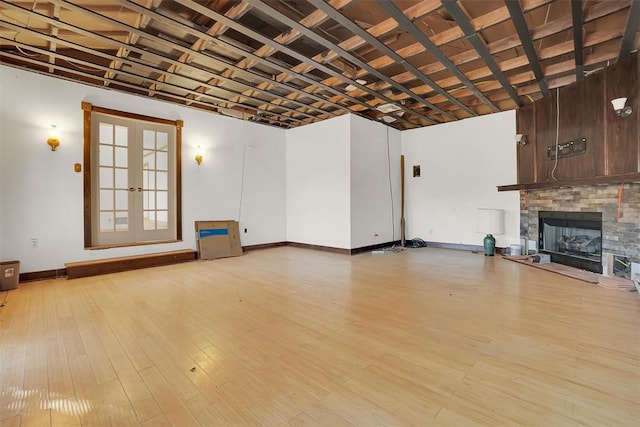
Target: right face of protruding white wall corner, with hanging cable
[[375, 183]]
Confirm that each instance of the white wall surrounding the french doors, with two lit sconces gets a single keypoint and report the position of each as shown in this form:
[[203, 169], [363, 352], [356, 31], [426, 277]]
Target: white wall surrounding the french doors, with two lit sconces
[[41, 195]]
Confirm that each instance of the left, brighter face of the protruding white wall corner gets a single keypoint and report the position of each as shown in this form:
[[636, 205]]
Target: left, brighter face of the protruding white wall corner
[[318, 176]]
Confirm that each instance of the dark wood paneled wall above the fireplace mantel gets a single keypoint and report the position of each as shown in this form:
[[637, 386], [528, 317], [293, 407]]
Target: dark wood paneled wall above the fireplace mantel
[[583, 110]]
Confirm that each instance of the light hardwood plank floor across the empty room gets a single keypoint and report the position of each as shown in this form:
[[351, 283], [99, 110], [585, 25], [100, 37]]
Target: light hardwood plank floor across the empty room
[[298, 337]]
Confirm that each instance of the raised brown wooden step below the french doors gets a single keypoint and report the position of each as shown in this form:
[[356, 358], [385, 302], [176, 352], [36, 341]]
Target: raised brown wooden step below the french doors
[[113, 265]]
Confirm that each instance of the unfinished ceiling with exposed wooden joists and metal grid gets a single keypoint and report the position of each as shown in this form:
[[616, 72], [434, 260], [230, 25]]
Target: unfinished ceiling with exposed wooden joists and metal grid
[[407, 63]]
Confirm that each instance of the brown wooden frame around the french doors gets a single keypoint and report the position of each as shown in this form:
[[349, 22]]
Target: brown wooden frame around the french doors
[[88, 109]]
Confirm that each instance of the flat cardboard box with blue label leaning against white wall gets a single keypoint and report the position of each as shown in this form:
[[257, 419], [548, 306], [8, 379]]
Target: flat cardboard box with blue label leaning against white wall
[[218, 239]]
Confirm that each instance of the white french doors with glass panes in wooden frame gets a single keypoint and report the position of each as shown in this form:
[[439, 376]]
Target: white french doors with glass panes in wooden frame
[[133, 181]]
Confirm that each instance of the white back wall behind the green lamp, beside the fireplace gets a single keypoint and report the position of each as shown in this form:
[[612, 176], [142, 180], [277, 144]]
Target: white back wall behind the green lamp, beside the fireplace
[[462, 163]]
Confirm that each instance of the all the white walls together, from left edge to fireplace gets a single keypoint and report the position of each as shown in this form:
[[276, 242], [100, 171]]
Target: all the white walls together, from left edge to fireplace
[[322, 184]]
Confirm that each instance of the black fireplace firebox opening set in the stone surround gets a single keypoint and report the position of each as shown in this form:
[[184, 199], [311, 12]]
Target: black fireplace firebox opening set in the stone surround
[[572, 238]]
